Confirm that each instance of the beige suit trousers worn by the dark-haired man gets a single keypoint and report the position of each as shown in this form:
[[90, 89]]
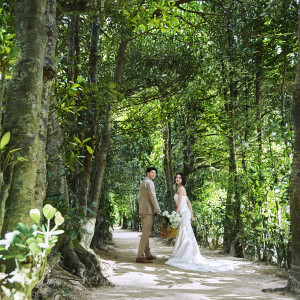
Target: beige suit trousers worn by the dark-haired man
[[147, 222]]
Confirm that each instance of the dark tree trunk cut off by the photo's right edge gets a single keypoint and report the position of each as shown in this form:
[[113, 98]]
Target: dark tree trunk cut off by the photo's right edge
[[294, 274]]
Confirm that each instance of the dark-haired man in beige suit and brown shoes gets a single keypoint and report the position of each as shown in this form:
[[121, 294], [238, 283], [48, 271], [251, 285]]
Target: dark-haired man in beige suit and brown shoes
[[148, 206]]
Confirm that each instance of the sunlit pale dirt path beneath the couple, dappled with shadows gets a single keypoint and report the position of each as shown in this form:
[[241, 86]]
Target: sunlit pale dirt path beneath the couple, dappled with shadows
[[159, 281]]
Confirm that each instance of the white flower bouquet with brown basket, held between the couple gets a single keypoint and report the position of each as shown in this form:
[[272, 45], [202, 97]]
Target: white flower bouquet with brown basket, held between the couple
[[169, 224]]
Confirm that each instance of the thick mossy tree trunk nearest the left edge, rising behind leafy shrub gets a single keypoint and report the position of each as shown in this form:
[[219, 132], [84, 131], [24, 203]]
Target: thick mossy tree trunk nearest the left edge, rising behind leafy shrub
[[22, 118]]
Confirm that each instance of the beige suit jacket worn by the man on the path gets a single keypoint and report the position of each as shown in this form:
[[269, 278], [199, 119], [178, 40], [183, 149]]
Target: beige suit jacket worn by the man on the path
[[147, 198]]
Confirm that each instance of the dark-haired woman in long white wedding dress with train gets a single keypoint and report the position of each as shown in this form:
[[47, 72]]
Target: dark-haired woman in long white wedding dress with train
[[186, 254]]
